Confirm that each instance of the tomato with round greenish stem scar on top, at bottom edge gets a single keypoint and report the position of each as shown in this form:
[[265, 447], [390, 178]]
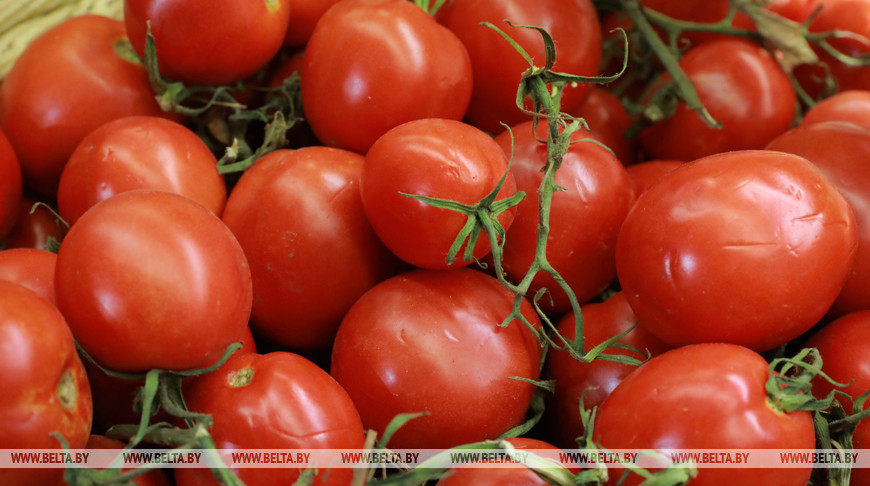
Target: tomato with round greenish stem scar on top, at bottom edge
[[274, 401]]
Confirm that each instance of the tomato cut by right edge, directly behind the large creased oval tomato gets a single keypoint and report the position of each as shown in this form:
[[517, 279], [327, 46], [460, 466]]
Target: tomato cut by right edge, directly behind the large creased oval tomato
[[840, 150]]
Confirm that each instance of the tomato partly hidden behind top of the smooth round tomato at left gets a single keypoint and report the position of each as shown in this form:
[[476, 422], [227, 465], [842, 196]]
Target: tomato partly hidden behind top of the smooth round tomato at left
[[139, 152]]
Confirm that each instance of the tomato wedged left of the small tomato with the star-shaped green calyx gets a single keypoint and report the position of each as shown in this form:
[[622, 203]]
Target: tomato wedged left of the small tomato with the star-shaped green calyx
[[298, 216]]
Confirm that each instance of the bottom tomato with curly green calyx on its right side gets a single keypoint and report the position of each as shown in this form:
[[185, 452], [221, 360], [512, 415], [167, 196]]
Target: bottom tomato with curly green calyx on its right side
[[704, 396]]
